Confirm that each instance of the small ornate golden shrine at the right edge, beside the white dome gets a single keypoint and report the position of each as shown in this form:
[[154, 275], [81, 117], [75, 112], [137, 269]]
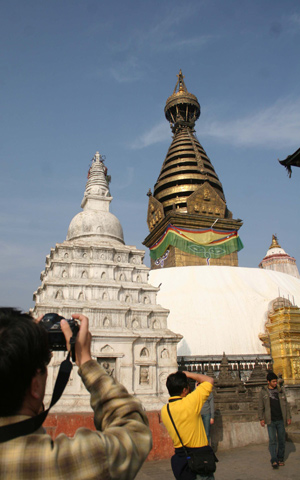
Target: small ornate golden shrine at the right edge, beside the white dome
[[282, 339]]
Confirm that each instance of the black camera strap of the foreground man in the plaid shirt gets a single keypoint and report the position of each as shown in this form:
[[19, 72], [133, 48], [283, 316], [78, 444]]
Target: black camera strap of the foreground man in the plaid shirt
[[30, 425]]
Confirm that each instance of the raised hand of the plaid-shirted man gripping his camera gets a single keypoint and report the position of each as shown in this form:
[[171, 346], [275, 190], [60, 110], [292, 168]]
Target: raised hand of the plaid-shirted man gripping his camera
[[83, 339]]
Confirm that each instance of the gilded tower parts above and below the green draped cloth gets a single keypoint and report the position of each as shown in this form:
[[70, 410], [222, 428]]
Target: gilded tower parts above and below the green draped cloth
[[188, 192]]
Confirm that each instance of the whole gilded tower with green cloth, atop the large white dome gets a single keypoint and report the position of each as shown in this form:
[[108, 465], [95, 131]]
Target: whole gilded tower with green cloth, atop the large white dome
[[188, 218]]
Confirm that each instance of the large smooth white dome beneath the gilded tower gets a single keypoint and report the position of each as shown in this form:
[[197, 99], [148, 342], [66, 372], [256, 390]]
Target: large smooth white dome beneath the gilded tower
[[220, 309]]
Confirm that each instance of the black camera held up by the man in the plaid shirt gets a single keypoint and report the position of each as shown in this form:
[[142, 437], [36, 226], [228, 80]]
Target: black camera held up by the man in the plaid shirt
[[56, 338]]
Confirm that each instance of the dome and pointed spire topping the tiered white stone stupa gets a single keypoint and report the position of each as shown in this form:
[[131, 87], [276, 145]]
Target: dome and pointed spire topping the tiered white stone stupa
[[95, 222]]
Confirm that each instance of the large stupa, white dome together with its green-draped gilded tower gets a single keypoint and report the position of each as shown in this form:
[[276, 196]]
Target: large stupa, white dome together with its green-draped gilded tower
[[214, 304]]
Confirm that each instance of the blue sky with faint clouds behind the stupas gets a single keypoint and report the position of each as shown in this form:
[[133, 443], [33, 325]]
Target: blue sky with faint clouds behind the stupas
[[80, 76]]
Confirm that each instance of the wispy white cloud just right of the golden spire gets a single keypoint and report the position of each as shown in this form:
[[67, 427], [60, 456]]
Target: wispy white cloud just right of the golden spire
[[277, 125]]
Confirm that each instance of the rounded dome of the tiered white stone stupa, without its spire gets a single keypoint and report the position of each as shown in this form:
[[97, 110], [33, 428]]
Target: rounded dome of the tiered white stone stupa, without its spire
[[93, 223]]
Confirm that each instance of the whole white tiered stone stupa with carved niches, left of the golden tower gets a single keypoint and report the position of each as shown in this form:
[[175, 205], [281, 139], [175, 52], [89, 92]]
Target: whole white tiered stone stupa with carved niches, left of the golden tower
[[94, 273]]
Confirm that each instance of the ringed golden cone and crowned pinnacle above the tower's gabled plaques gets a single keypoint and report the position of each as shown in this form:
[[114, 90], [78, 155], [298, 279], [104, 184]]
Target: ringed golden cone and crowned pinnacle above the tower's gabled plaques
[[186, 166]]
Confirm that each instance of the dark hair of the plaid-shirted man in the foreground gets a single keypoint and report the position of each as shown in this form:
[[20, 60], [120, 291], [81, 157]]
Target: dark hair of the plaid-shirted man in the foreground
[[23, 351]]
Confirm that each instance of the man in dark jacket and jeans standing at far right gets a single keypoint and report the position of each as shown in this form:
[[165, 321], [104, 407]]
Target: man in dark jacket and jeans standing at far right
[[274, 411]]
